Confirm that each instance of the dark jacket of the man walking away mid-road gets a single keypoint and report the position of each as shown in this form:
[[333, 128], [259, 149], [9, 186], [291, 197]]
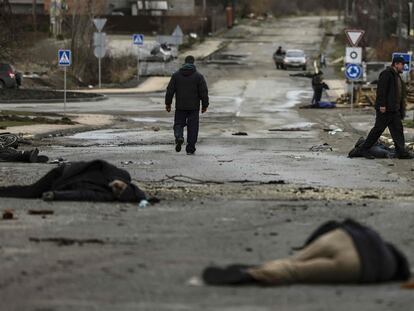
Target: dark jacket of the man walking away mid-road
[[189, 87]]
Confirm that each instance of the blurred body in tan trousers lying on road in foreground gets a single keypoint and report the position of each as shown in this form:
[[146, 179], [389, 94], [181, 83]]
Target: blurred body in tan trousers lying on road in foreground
[[337, 252]]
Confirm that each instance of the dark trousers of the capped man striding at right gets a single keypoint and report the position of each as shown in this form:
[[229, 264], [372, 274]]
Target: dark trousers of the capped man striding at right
[[392, 120]]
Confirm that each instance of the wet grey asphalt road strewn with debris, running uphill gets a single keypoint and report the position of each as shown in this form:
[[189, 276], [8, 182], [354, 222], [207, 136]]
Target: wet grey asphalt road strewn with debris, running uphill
[[228, 210]]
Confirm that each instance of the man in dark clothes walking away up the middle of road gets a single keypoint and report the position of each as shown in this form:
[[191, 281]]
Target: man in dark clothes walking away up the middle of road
[[189, 88]]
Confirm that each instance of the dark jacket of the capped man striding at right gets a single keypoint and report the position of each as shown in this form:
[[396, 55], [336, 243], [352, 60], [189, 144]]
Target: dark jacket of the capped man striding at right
[[387, 92]]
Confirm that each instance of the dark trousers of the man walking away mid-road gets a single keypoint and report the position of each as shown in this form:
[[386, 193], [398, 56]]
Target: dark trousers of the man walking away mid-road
[[189, 118]]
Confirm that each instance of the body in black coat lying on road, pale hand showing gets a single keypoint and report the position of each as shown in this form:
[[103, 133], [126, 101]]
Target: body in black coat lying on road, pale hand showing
[[80, 181]]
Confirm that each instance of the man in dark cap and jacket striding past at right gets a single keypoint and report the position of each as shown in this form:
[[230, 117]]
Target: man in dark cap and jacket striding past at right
[[390, 110]]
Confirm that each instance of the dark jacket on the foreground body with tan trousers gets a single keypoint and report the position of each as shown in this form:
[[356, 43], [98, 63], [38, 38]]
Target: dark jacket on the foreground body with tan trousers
[[380, 261]]
